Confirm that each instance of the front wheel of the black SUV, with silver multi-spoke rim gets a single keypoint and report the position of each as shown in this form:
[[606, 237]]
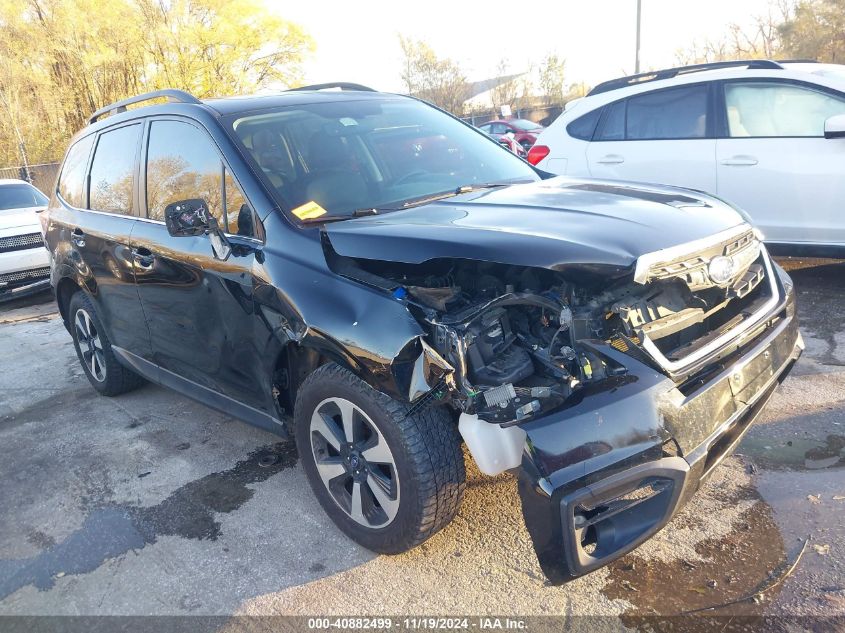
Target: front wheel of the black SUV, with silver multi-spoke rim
[[388, 480]]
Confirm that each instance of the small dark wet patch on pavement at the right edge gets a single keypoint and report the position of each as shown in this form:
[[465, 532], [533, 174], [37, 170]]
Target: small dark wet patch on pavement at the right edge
[[795, 454]]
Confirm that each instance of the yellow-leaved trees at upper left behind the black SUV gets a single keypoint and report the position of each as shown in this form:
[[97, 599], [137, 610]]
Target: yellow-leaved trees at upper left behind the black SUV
[[62, 59]]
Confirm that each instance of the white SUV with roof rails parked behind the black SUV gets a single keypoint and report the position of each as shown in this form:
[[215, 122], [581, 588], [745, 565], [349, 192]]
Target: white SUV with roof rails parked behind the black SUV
[[767, 136]]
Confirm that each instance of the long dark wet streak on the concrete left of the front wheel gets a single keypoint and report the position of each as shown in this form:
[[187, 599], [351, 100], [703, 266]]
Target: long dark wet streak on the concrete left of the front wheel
[[113, 530]]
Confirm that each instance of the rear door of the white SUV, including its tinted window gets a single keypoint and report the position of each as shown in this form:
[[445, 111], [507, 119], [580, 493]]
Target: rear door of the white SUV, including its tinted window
[[664, 137]]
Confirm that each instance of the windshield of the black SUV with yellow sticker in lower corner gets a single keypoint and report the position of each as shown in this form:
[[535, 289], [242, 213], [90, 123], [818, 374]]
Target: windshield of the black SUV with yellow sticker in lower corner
[[337, 158]]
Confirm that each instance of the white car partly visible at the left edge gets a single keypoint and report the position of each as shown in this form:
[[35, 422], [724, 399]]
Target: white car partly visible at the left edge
[[24, 262]]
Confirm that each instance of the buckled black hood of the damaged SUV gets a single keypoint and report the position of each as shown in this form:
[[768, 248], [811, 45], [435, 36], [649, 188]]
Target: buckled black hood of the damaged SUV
[[553, 224]]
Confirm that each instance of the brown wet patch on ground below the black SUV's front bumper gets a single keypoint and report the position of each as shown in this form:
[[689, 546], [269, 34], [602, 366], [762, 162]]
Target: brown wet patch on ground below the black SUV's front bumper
[[733, 567]]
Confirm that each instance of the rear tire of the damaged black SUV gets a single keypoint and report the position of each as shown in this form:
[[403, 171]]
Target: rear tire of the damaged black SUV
[[113, 378]]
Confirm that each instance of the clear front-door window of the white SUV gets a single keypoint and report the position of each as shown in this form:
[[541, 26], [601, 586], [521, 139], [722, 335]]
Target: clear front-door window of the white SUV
[[778, 109]]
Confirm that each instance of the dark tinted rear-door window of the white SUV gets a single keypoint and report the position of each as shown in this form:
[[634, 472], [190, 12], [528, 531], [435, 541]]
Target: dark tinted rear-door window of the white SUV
[[668, 114]]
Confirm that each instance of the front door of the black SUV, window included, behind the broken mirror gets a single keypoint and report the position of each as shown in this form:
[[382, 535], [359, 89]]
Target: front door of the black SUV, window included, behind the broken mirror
[[199, 309]]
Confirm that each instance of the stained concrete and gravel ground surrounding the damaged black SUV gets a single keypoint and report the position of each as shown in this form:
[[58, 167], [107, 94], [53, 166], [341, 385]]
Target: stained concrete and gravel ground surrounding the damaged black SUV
[[152, 504]]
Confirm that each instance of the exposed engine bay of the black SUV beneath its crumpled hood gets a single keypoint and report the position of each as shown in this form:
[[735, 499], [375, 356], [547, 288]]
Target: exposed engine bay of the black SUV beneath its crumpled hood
[[513, 333]]
